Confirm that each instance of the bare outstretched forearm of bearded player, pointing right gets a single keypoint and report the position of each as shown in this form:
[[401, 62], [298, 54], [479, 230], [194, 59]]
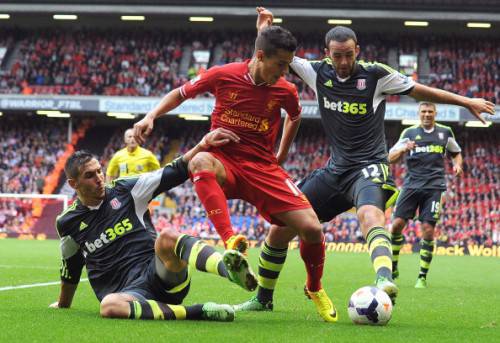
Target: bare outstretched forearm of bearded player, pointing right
[[475, 105]]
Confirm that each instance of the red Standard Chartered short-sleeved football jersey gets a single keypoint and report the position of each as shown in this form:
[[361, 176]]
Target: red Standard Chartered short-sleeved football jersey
[[252, 111]]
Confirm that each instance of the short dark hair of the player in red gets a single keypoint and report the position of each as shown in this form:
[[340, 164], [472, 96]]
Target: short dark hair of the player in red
[[273, 38]]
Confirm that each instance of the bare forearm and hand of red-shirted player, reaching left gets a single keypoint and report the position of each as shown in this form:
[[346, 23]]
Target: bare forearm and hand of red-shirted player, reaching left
[[144, 127]]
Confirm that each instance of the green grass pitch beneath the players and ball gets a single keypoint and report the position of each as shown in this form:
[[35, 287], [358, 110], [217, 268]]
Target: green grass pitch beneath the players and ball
[[462, 303]]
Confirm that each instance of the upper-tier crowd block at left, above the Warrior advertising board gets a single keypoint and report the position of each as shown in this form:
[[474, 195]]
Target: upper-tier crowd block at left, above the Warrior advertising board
[[91, 62]]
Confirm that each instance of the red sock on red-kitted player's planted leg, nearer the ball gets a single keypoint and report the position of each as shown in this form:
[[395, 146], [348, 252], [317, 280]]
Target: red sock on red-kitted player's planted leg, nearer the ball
[[314, 259]]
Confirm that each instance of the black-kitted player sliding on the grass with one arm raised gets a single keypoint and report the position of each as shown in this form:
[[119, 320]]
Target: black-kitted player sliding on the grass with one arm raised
[[133, 273]]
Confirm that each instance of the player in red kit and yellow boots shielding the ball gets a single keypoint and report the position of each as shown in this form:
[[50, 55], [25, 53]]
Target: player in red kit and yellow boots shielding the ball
[[249, 98]]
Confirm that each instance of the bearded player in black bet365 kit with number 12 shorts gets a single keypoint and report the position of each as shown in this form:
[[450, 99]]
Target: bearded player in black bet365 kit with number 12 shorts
[[351, 99]]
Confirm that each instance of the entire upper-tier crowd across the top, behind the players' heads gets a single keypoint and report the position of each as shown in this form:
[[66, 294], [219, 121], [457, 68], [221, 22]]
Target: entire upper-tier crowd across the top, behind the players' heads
[[146, 63]]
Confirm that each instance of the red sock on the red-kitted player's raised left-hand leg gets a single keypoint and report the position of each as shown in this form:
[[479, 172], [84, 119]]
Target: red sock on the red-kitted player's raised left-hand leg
[[214, 200]]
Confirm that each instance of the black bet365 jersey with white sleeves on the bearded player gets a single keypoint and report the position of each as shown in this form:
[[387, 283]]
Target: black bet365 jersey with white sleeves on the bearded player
[[353, 109]]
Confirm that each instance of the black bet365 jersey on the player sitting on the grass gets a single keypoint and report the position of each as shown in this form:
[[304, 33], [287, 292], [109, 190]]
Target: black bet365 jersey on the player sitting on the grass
[[114, 240]]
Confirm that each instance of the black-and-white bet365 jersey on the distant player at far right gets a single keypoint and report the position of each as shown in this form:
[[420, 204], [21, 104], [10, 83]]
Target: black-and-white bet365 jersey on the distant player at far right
[[425, 163]]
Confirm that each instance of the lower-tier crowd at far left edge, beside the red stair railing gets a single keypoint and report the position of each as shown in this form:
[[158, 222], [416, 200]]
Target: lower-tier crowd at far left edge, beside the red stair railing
[[29, 150]]
